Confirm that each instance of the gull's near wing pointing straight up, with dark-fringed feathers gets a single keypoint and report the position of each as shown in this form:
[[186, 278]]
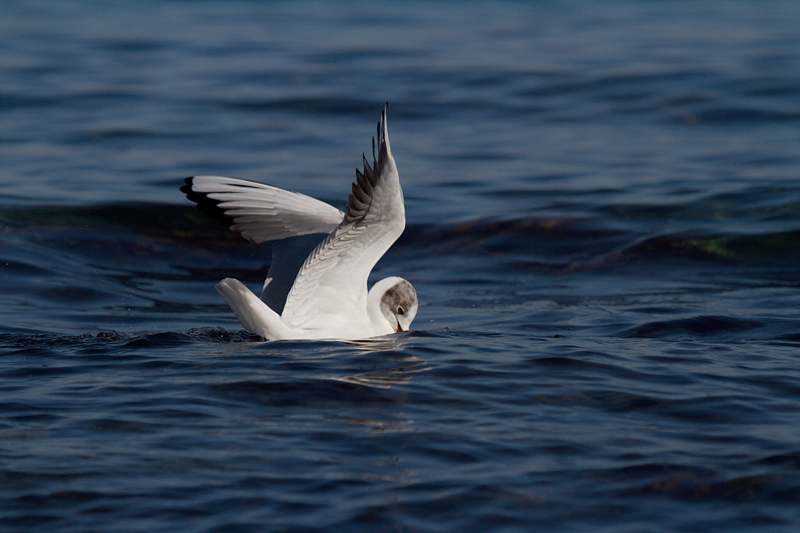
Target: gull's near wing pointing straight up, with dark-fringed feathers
[[332, 282]]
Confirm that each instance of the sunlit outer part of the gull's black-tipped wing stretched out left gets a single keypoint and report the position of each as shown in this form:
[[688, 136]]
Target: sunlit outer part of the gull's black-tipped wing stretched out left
[[260, 212]]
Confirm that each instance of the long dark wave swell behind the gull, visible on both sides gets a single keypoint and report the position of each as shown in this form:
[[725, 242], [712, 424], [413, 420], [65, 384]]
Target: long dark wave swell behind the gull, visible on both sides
[[128, 230]]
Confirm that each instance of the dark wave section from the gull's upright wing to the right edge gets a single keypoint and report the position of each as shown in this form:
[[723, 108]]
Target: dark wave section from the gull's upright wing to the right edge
[[567, 245]]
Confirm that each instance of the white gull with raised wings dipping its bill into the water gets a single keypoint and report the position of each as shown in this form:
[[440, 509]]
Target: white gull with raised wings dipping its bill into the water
[[316, 286]]
